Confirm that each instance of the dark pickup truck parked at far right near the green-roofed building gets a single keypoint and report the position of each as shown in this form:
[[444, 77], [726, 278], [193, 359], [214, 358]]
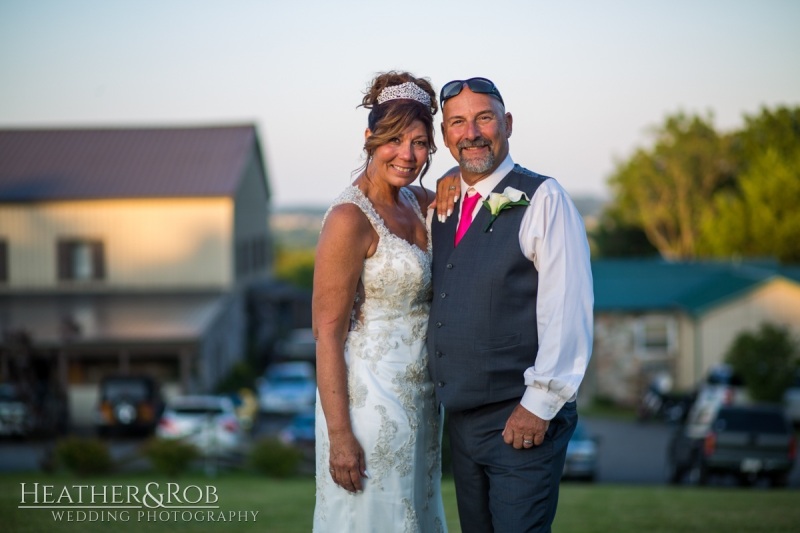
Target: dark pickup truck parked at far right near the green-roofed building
[[750, 442]]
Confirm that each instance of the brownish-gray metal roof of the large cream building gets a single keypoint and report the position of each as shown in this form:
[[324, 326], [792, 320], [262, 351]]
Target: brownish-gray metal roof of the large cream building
[[75, 164]]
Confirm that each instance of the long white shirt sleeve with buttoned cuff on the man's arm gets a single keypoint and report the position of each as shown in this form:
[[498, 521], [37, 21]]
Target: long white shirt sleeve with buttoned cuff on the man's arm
[[553, 236]]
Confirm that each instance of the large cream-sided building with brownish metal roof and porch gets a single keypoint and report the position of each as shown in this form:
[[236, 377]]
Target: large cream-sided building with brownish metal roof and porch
[[128, 250]]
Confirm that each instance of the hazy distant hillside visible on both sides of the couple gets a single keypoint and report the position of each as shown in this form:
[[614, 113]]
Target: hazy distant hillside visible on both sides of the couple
[[299, 226]]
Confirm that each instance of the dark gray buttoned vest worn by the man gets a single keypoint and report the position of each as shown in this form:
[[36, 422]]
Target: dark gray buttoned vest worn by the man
[[482, 329]]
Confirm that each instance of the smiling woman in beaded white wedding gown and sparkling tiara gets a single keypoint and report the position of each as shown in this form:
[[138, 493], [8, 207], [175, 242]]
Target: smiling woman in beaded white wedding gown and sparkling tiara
[[378, 429]]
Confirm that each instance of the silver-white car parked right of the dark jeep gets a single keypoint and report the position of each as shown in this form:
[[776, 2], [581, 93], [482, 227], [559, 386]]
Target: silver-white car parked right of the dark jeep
[[206, 421]]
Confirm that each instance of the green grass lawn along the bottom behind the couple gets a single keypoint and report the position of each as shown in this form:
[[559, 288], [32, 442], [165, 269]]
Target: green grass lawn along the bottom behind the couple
[[286, 506]]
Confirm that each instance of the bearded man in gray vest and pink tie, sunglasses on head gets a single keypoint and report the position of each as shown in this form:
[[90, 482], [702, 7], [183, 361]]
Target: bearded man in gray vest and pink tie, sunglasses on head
[[510, 331]]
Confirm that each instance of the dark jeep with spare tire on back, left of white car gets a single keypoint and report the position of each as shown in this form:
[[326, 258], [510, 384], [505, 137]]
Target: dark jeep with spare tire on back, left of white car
[[129, 405]]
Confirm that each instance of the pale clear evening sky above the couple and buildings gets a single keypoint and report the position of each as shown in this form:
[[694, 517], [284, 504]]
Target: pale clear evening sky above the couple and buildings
[[586, 81]]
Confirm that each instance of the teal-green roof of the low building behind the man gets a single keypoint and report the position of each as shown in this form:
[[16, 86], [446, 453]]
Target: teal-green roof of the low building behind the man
[[638, 285]]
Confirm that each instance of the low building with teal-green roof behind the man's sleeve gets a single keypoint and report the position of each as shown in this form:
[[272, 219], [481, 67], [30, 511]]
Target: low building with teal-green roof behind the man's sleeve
[[679, 318]]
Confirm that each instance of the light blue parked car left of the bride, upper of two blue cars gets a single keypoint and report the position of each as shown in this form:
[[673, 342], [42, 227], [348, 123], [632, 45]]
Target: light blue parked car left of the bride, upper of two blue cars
[[288, 387]]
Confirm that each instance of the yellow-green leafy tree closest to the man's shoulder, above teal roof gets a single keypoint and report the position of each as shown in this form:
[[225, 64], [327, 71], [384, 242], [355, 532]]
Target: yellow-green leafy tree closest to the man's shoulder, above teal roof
[[667, 190]]
